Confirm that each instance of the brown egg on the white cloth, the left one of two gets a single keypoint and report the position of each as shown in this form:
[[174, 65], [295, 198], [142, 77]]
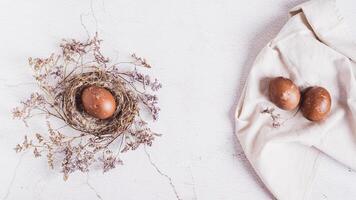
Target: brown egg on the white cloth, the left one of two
[[284, 93]]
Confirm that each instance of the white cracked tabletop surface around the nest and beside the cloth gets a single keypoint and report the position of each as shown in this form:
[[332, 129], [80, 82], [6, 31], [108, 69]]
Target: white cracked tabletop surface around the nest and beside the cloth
[[200, 50]]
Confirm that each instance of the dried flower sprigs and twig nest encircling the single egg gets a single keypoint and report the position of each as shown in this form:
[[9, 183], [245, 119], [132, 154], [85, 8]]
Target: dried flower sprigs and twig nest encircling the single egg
[[60, 78]]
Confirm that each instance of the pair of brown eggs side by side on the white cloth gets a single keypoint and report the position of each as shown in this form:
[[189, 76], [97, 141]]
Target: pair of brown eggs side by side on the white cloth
[[315, 102]]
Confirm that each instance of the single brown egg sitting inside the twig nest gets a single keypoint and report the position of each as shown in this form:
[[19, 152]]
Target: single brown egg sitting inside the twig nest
[[98, 102]]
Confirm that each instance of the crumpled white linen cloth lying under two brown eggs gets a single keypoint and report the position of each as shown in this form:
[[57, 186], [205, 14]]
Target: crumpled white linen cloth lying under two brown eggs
[[314, 48]]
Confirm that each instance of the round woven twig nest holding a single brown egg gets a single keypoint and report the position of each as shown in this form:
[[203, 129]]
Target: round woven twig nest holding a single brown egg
[[83, 118]]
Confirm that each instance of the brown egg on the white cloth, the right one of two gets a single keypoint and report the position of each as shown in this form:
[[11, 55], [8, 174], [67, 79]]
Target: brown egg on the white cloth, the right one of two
[[316, 104]]
